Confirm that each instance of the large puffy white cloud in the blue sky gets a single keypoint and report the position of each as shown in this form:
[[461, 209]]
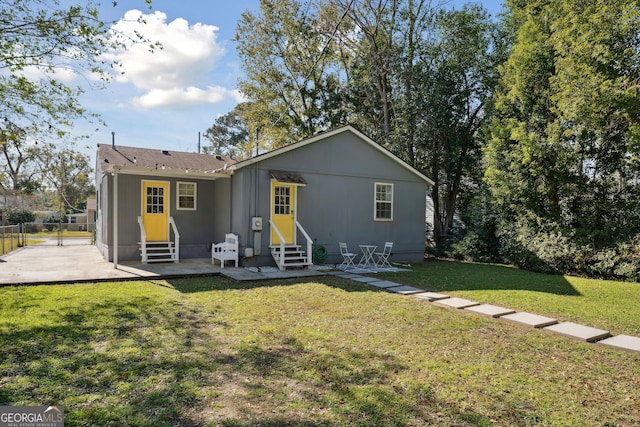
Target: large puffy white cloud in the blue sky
[[176, 75]]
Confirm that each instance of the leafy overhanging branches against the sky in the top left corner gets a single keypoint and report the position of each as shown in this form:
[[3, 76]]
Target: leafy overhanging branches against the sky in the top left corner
[[40, 40]]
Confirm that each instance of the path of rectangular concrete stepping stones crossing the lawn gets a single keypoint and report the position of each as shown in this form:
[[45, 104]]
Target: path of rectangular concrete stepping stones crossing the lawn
[[586, 333]]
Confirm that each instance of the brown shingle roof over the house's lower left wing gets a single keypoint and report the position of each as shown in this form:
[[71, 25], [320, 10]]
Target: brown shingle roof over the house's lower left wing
[[146, 158]]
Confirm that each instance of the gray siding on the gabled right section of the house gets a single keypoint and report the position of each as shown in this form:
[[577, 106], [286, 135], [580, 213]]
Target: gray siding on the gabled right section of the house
[[337, 204]]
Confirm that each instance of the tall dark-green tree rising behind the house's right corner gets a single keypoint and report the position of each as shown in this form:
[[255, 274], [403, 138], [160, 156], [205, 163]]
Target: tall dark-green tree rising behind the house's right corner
[[458, 76]]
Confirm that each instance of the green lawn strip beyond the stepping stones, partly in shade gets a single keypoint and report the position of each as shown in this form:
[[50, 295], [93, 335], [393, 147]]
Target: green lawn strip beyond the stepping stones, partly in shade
[[610, 305]]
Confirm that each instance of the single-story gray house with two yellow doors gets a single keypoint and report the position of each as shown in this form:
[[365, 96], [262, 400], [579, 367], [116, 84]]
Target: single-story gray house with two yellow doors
[[338, 186]]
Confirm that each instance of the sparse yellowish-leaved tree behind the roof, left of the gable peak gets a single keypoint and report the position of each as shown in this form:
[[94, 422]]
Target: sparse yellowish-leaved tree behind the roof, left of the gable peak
[[291, 76]]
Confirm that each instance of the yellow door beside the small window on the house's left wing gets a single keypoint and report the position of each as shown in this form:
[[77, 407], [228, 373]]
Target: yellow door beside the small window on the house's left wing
[[155, 210]]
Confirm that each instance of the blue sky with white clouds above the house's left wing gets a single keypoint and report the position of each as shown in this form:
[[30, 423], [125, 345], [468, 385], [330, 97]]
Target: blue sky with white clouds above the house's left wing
[[164, 99]]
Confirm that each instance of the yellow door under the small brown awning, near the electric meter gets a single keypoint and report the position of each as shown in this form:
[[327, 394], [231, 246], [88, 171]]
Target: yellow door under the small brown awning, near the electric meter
[[283, 204]]
